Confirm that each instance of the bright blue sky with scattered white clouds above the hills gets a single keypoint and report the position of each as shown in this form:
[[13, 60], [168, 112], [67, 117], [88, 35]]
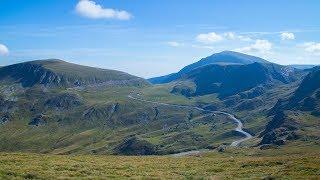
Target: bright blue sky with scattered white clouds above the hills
[[149, 38]]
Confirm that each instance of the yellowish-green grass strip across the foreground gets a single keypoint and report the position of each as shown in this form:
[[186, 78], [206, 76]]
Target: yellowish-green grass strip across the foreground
[[292, 162]]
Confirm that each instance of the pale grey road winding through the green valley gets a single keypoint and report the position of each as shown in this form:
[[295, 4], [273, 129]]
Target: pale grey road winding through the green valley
[[239, 127]]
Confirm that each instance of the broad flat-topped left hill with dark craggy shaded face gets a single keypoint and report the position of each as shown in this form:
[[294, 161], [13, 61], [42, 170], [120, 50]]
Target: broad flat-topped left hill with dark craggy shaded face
[[54, 72]]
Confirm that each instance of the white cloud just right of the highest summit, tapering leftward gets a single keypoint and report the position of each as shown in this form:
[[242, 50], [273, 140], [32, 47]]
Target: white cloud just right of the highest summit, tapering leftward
[[261, 46]]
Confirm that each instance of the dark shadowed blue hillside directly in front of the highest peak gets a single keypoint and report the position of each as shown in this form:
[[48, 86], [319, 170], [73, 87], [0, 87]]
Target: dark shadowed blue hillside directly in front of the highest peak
[[228, 80]]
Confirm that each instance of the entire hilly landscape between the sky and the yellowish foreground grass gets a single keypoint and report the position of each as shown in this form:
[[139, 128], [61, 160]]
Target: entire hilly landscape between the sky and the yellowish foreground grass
[[52, 106]]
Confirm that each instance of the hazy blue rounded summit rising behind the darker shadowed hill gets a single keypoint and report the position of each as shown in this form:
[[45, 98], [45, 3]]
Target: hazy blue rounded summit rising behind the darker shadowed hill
[[222, 58]]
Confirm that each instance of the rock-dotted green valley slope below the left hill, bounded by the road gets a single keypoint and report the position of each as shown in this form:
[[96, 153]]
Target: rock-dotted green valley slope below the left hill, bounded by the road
[[185, 129]]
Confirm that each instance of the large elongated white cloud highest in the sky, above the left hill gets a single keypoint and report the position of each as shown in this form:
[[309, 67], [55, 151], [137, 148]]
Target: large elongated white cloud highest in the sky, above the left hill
[[90, 9]]
